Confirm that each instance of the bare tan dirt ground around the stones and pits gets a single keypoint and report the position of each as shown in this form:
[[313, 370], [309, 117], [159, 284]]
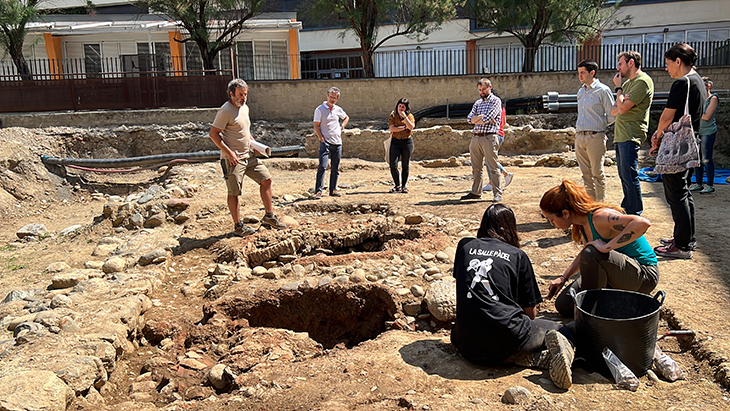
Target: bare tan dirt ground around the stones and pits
[[398, 369]]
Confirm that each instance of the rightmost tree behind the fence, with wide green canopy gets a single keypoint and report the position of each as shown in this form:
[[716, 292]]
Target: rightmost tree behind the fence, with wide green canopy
[[536, 21]]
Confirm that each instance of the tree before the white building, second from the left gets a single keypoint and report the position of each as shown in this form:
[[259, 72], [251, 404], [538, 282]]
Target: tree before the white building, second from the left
[[212, 25]]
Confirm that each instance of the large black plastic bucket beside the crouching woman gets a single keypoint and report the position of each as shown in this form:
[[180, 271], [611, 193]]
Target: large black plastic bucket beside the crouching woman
[[624, 321]]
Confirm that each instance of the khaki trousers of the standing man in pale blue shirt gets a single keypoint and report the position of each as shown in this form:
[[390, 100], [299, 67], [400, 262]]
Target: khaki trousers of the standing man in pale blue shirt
[[590, 151]]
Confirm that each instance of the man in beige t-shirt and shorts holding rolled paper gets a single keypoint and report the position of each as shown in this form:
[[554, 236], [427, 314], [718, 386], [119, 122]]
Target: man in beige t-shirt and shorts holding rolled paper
[[231, 132]]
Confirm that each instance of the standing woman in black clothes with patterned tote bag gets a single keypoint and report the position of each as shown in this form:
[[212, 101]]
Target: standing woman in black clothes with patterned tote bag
[[680, 60]]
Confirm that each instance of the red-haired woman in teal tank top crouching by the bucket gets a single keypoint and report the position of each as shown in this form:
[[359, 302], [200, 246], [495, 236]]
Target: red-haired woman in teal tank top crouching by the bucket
[[615, 252]]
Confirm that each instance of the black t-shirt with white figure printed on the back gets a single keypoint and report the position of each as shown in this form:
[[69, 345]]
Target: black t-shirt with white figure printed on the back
[[494, 282]]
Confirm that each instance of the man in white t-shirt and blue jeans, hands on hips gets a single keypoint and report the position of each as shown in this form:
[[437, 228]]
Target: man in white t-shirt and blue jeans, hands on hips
[[327, 126]]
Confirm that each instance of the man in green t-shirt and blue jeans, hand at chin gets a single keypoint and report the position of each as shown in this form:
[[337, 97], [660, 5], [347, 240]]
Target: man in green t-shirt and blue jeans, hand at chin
[[633, 101]]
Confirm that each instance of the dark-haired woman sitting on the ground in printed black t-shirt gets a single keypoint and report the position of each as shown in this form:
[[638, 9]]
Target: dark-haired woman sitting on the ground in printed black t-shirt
[[496, 295]]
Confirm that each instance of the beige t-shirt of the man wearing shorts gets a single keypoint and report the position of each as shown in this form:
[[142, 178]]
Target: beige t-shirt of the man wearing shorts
[[236, 126]]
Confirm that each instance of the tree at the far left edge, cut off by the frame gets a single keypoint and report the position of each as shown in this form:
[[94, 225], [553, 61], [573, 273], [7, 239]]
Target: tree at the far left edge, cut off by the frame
[[14, 15]]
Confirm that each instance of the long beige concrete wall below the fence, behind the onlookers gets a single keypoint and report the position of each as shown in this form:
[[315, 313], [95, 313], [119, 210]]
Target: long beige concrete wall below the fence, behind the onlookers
[[373, 99]]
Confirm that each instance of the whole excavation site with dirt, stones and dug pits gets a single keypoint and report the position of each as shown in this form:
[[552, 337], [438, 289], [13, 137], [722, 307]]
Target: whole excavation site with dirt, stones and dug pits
[[124, 286]]
